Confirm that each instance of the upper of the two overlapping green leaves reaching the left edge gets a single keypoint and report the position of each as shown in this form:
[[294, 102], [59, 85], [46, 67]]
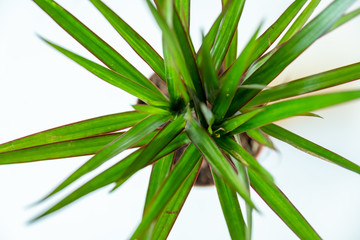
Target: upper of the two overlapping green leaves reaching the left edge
[[86, 128]]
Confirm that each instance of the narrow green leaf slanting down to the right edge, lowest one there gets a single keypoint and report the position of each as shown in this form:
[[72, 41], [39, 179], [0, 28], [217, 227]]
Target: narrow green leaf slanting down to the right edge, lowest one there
[[309, 147]]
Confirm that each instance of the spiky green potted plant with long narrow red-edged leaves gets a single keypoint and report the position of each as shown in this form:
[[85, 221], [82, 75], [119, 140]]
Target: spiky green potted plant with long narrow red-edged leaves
[[205, 109]]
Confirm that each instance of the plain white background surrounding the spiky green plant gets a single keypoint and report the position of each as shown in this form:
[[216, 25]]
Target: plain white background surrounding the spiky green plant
[[40, 89]]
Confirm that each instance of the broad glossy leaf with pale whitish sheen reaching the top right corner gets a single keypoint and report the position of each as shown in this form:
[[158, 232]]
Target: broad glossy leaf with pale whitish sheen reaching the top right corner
[[289, 51]]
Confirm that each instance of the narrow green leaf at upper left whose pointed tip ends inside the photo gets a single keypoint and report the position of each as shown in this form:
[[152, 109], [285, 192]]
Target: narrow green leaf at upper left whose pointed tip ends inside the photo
[[111, 77]]
